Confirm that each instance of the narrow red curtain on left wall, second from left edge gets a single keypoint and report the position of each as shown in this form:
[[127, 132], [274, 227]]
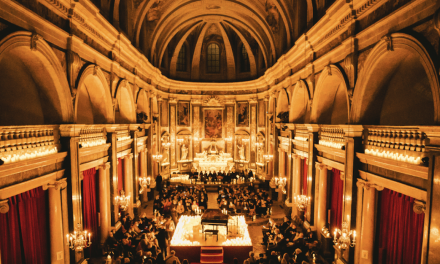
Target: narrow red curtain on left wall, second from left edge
[[90, 209]]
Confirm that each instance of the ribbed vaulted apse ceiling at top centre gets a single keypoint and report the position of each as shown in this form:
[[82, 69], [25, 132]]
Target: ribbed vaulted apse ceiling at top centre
[[265, 28]]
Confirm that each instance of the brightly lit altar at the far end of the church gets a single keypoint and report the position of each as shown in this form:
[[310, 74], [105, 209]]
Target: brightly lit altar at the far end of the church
[[213, 159]]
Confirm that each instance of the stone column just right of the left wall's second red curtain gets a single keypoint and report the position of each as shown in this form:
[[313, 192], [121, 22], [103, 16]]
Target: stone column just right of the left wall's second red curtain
[[104, 201]]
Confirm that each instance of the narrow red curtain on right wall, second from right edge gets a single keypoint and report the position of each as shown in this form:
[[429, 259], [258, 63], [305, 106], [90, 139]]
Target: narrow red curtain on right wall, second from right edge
[[336, 196]]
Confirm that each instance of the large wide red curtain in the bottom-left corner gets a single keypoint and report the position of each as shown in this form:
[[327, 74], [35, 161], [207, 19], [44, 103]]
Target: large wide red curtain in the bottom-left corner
[[24, 229]]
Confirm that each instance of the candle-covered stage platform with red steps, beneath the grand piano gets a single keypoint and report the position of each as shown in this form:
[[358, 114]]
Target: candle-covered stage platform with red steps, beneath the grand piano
[[190, 243]]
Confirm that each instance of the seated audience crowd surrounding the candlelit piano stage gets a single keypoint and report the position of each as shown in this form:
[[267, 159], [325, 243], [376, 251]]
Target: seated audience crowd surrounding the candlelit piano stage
[[146, 240]]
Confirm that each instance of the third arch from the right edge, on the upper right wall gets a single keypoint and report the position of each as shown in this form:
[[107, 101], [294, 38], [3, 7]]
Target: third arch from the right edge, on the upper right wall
[[300, 101]]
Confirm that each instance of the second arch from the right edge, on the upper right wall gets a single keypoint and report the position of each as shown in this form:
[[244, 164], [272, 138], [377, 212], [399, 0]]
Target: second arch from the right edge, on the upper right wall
[[330, 101]]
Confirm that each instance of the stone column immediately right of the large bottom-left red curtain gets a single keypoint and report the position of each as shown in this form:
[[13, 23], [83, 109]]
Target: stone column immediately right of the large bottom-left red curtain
[[55, 222]]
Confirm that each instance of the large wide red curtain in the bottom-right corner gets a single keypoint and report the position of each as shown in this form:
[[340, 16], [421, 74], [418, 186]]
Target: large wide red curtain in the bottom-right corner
[[400, 229]]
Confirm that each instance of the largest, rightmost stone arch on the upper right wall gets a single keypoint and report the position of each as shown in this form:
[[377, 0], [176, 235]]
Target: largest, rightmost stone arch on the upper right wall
[[398, 85]]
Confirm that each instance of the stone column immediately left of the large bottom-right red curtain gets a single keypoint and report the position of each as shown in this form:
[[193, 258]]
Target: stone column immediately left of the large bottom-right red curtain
[[368, 222]]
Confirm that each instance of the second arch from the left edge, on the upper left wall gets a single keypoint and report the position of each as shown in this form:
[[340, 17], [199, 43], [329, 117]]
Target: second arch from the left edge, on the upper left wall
[[93, 104]]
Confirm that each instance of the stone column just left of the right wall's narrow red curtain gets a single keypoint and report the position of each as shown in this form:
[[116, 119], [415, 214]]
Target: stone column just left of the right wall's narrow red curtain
[[322, 194]]
